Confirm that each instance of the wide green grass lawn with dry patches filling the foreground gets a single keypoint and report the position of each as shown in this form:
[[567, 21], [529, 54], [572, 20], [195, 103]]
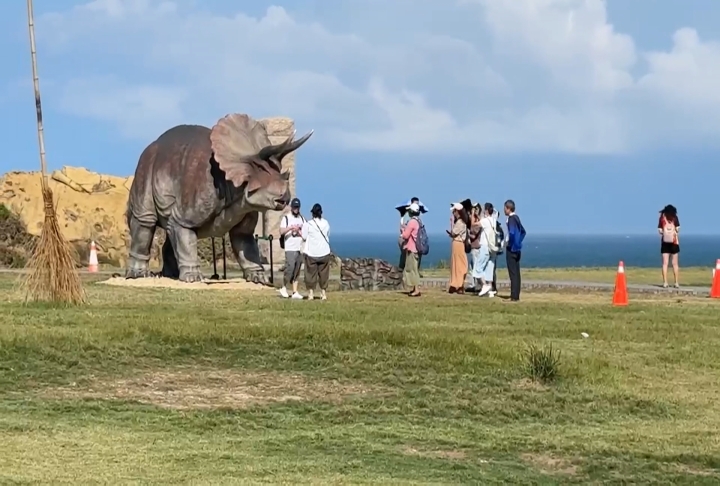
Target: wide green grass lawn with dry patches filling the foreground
[[221, 387]]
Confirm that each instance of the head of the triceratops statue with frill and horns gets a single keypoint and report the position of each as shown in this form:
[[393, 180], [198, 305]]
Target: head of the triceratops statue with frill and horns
[[243, 151]]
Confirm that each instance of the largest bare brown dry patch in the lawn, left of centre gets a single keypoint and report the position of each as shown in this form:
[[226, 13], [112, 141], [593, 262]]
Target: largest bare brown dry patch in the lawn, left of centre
[[193, 389]]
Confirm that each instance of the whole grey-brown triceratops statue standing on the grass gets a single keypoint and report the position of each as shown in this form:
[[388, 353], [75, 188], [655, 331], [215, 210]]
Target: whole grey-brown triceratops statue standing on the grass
[[196, 182]]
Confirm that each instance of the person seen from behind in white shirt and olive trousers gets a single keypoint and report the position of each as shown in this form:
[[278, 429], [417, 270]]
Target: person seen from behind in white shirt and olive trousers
[[316, 235]]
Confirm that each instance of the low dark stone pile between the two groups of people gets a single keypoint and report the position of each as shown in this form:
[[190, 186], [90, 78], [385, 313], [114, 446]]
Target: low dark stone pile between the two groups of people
[[369, 274]]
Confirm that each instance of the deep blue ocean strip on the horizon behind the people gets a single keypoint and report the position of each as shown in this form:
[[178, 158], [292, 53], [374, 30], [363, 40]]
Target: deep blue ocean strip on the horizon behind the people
[[549, 251]]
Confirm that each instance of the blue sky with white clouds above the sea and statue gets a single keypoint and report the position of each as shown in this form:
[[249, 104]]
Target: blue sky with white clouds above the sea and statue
[[591, 115]]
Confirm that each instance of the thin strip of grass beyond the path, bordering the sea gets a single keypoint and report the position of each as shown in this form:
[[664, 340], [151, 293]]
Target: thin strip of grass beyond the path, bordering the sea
[[689, 277]]
